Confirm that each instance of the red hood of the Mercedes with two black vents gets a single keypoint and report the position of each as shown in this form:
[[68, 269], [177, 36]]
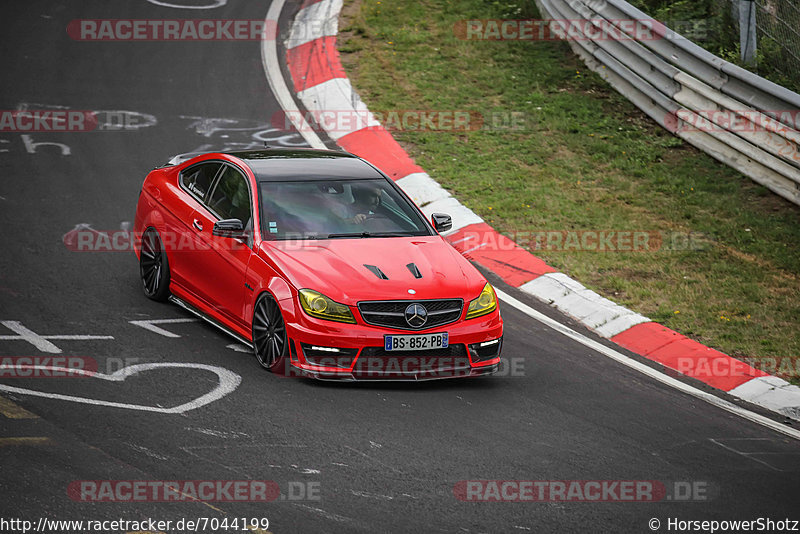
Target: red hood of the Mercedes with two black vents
[[336, 268]]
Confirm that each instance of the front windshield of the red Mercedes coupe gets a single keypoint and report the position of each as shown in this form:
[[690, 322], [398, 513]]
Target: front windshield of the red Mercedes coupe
[[333, 209]]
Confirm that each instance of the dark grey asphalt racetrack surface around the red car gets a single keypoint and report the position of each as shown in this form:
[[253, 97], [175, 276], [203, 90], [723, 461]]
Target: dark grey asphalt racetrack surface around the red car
[[383, 457]]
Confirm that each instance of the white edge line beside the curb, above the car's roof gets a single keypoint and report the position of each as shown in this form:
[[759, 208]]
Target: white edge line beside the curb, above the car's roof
[[269, 58]]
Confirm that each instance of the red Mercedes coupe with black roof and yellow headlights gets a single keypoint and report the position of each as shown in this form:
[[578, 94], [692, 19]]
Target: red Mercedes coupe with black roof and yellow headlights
[[318, 261]]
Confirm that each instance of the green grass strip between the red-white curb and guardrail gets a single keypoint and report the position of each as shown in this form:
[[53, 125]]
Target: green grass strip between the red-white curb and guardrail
[[586, 159]]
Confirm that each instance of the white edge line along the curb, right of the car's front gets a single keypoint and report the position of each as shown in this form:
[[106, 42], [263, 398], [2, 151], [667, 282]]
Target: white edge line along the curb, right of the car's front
[[647, 370]]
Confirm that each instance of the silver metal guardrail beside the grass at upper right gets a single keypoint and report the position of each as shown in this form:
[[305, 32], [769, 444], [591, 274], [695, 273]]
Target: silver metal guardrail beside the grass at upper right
[[737, 117]]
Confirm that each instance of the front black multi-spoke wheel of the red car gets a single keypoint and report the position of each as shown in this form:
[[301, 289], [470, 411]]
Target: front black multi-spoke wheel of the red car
[[270, 343]]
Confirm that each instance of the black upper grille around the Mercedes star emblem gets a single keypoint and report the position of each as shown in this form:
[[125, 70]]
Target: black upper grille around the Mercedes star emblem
[[392, 313]]
